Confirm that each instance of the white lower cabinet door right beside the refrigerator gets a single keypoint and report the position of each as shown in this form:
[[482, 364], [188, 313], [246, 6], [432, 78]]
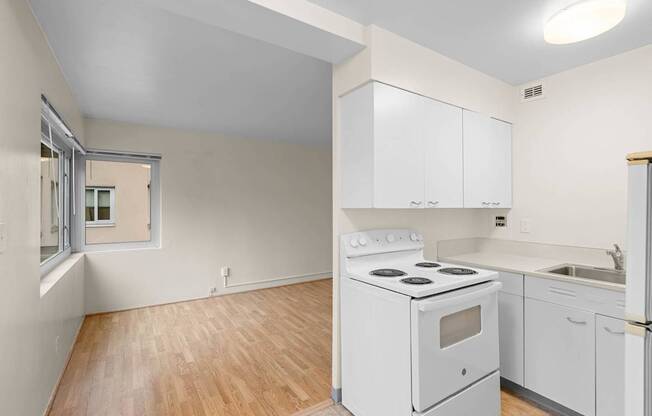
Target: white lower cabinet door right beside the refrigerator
[[610, 366]]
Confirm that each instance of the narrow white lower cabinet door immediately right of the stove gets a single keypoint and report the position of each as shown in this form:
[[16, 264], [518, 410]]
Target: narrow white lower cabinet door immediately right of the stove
[[510, 322]]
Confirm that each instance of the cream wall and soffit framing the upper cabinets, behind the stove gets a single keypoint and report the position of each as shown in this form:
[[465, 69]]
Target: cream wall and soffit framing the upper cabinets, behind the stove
[[399, 62]]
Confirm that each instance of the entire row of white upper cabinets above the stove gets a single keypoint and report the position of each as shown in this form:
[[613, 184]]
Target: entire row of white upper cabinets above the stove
[[402, 150]]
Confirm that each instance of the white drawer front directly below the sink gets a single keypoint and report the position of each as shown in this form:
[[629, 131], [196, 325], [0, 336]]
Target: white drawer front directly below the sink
[[602, 301]]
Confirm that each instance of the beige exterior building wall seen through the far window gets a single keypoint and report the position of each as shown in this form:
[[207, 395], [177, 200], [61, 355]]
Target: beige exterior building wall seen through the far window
[[132, 209]]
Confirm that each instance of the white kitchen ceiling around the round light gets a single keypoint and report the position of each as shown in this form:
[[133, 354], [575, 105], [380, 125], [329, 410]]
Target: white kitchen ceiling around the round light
[[502, 38]]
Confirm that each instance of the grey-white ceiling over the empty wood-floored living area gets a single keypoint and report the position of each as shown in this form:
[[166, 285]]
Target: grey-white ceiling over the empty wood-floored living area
[[127, 60]]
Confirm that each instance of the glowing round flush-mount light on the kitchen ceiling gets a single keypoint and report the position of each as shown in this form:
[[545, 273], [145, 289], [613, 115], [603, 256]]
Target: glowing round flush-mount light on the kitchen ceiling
[[583, 20]]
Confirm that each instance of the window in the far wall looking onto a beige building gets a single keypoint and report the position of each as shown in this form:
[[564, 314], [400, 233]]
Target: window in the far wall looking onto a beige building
[[121, 201]]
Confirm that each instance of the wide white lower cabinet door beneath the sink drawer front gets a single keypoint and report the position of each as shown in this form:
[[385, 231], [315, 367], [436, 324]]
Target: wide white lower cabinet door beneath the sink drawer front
[[560, 354]]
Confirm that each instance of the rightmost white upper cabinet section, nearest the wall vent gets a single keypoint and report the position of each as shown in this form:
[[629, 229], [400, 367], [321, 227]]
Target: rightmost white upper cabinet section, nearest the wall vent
[[487, 162]]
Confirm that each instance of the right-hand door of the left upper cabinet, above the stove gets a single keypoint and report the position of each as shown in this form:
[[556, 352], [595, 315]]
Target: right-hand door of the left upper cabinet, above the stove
[[442, 132]]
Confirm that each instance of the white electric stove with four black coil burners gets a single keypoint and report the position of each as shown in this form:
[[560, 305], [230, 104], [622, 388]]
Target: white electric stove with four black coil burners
[[418, 337]]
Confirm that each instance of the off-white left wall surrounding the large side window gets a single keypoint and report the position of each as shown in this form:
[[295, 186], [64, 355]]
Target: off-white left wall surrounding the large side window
[[29, 324]]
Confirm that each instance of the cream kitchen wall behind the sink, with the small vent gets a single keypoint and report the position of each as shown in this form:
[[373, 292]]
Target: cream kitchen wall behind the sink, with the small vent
[[570, 174]]
